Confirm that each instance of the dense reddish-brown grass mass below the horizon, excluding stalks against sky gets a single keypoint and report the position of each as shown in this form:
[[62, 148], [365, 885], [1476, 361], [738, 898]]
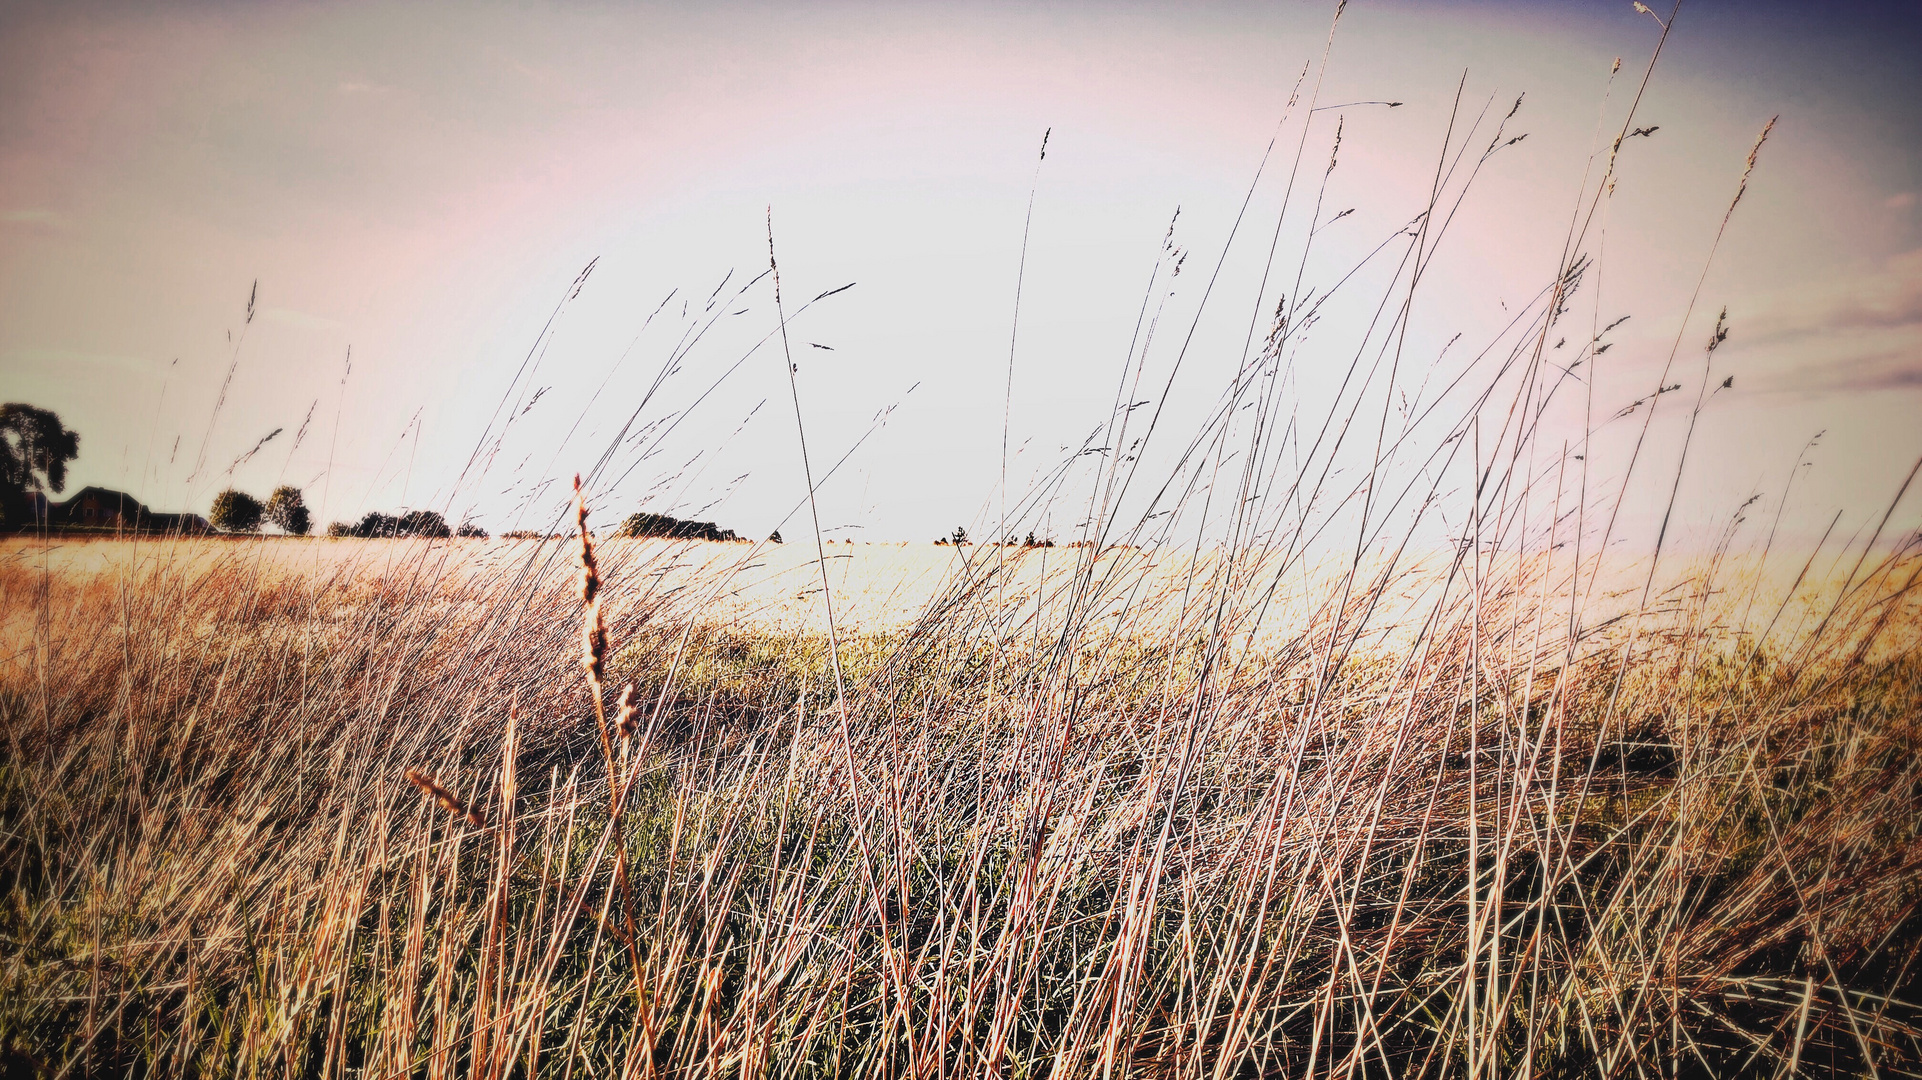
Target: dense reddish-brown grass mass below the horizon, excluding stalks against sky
[[1498, 852]]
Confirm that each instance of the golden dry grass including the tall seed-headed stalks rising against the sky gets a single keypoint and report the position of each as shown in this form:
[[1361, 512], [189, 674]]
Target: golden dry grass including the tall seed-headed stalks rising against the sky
[[1268, 779]]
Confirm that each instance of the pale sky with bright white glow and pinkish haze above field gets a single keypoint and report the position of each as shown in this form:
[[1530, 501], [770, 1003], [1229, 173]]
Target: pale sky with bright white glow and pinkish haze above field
[[357, 232]]
